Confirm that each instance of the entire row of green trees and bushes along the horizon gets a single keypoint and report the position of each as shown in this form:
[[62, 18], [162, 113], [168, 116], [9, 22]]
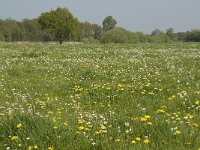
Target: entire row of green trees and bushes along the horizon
[[60, 25]]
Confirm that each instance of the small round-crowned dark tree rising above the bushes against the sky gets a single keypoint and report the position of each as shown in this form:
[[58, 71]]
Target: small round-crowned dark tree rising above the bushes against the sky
[[109, 23]]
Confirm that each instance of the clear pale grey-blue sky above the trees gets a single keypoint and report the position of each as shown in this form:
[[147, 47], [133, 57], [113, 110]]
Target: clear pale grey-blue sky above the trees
[[133, 15]]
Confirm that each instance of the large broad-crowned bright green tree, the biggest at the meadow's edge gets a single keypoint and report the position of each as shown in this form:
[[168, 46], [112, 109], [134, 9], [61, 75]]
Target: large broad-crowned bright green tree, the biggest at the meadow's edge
[[59, 22]]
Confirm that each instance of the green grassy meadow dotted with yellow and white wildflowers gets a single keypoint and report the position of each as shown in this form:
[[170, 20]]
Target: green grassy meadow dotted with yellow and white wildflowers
[[60, 97]]
